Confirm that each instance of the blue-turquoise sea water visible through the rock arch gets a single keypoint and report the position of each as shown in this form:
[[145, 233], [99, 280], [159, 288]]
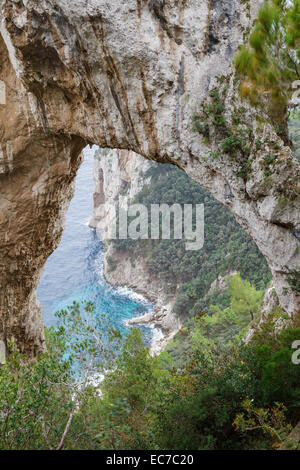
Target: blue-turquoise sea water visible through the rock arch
[[75, 270]]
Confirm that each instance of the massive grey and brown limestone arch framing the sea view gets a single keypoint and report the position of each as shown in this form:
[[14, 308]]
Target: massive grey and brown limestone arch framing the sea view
[[127, 74]]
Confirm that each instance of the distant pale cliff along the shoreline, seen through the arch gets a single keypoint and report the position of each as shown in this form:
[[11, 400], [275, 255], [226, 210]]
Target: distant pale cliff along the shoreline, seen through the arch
[[119, 177]]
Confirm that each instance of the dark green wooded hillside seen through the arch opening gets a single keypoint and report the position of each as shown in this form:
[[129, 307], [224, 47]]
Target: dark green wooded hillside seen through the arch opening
[[227, 247]]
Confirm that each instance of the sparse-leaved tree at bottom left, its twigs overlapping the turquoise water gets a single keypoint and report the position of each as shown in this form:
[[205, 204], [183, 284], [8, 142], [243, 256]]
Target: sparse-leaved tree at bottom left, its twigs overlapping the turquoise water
[[39, 399]]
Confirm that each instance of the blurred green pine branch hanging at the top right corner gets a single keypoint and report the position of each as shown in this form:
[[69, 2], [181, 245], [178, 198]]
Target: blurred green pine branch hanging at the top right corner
[[270, 64]]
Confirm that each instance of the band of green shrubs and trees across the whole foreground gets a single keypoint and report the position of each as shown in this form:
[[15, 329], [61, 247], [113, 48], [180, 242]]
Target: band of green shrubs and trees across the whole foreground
[[226, 394]]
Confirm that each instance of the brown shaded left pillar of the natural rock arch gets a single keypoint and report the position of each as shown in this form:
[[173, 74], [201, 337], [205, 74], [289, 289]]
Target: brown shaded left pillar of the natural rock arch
[[36, 184]]
